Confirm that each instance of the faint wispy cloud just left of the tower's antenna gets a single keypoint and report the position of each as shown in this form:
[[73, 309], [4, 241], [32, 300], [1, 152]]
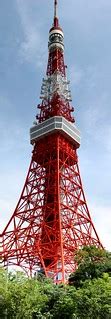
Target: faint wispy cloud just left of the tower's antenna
[[32, 48]]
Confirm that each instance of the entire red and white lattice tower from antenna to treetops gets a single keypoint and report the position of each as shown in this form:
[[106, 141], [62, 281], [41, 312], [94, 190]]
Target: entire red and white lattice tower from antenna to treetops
[[51, 220]]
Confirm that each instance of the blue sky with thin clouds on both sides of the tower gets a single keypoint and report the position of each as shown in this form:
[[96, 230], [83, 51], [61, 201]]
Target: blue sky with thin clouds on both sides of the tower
[[24, 26]]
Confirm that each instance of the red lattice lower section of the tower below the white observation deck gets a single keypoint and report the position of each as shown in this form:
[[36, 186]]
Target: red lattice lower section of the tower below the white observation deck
[[51, 220]]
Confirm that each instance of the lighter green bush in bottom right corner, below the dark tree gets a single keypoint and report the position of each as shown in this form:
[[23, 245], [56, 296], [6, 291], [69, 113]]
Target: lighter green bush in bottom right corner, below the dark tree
[[94, 299]]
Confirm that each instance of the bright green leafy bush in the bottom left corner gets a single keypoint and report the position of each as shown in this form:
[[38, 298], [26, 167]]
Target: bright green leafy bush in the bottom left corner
[[20, 296]]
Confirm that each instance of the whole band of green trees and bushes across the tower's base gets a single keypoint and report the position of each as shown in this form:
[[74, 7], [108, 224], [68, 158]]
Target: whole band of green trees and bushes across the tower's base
[[39, 298]]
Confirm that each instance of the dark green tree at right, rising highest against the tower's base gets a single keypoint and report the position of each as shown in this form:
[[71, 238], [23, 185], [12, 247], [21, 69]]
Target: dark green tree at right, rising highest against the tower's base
[[92, 263]]
